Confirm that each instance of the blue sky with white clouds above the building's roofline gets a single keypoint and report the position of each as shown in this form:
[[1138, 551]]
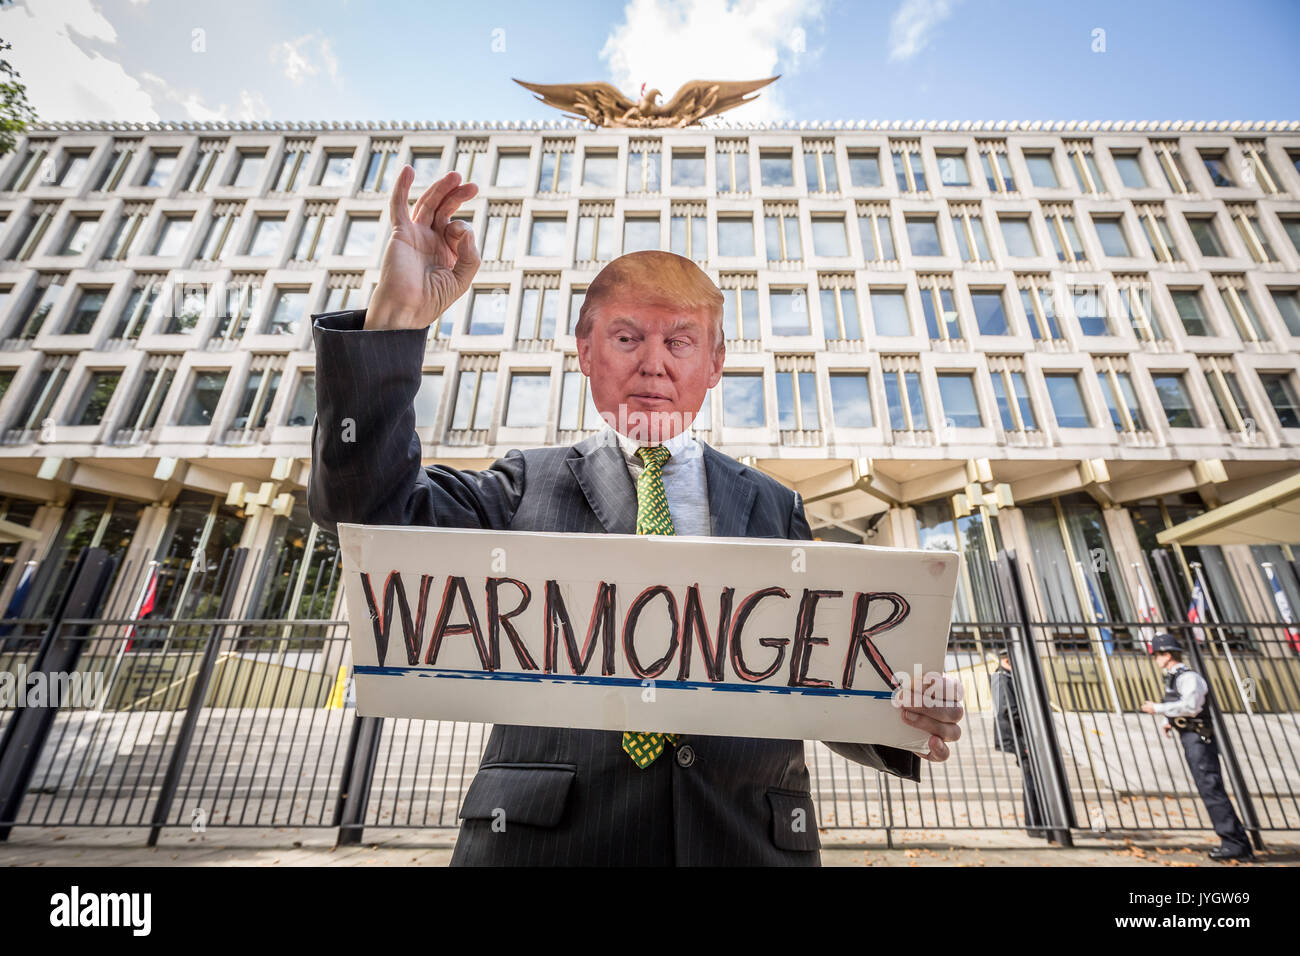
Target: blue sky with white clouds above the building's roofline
[[151, 60]]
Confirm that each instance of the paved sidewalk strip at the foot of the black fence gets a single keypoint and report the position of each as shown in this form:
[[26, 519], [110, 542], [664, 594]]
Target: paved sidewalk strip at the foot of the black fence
[[292, 847]]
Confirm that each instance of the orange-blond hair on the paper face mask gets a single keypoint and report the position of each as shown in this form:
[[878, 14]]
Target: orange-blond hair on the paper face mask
[[658, 278]]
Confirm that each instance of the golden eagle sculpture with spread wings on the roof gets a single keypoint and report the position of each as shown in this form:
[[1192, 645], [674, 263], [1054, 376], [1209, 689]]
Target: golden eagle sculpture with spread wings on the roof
[[604, 106]]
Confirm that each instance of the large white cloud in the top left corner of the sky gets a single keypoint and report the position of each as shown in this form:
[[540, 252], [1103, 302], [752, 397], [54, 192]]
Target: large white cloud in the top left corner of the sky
[[64, 79]]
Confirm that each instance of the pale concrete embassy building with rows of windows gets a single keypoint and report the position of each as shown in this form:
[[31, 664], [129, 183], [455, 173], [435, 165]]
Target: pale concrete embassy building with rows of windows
[[1061, 339]]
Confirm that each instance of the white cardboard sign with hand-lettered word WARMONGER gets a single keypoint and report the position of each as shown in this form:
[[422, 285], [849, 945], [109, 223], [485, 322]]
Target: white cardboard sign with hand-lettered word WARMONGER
[[761, 638]]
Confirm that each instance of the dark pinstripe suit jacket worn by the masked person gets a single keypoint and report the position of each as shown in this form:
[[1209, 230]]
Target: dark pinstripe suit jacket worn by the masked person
[[567, 797]]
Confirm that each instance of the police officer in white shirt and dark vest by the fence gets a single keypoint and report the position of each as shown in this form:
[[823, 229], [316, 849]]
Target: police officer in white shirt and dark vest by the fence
[[1185, 707]]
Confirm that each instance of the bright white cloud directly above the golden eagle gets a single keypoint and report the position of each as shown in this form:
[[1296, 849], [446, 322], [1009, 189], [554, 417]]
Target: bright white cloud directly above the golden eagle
[[666, 44]]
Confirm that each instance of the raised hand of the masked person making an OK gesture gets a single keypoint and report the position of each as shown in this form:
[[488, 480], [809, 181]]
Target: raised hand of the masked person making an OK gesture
[[430, 259]]
